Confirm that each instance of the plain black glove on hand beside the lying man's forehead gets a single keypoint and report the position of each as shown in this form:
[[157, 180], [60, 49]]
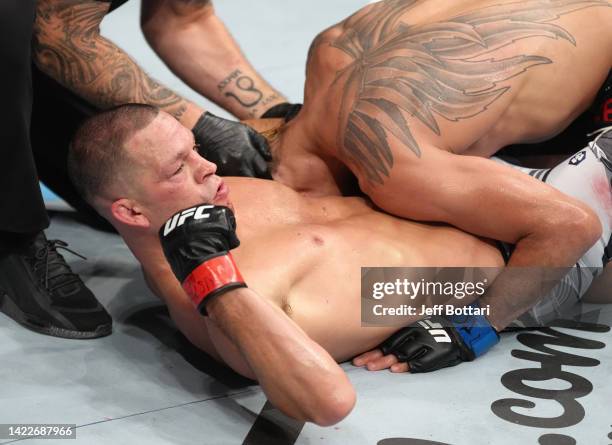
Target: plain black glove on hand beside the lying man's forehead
[[237, 149]]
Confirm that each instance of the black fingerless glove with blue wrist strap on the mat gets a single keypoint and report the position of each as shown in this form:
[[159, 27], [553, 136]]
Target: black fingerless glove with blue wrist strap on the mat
[[440, 342]]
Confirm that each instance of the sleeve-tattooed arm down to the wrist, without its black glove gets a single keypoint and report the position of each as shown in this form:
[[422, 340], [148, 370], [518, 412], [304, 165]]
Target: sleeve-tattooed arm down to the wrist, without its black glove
[[67, 46]]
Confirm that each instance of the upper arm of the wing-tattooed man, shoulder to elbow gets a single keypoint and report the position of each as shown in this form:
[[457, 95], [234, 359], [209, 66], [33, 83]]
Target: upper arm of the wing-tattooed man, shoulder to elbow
[[472, 193]]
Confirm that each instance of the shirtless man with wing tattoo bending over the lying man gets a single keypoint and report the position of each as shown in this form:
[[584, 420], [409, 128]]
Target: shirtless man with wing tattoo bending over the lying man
[[409, 97]]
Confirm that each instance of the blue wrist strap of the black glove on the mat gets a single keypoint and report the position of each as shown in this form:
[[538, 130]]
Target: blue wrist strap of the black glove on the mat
[[475, 331]]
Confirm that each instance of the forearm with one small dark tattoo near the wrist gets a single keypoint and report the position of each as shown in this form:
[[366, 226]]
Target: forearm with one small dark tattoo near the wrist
[[197, 47]]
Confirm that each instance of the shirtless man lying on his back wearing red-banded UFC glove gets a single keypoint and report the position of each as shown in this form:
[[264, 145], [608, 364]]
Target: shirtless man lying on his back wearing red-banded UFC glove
[[300, 255]]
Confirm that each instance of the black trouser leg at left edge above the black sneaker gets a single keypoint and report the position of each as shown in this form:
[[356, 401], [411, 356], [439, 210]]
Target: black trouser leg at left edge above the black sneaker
[[21, 205]]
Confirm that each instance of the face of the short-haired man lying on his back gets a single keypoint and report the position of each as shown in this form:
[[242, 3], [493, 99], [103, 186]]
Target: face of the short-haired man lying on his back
[[172, 175]]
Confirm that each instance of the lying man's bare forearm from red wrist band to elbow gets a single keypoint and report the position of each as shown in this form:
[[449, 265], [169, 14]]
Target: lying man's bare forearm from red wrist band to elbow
[[297, 375]]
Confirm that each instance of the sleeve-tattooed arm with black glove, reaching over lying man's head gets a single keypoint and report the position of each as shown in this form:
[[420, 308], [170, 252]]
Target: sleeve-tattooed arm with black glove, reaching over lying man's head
[[68, 47]]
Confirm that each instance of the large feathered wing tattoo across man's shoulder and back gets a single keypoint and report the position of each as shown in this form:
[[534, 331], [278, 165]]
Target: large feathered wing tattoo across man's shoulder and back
[[445, 69]]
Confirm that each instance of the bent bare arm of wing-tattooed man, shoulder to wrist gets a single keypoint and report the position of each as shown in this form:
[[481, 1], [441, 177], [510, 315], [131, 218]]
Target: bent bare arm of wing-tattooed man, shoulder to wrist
[[549, 229]]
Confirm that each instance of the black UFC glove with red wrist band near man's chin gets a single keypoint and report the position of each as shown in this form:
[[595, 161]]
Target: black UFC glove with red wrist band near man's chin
[[196, 243]]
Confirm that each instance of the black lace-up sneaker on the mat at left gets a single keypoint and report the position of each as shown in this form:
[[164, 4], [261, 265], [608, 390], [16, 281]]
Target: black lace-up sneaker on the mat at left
[[39, 291]]
